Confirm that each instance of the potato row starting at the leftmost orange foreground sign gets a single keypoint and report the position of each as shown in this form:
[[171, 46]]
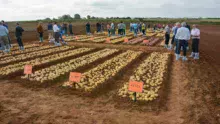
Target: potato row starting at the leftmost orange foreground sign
[[56, 71]]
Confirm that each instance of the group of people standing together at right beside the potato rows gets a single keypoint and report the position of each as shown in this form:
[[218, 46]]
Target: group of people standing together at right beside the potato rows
[[182, 33]]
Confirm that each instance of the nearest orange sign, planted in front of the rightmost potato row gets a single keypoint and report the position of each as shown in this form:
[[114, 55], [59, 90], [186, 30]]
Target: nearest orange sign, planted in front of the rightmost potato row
[[135, 86]]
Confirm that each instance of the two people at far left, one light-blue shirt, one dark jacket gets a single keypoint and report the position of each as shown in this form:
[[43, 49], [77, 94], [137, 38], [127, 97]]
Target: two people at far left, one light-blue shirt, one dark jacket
[[5, 41]]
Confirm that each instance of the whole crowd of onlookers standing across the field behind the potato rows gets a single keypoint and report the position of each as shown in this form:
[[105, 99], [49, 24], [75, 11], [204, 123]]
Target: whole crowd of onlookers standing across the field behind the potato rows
[[182, 33]]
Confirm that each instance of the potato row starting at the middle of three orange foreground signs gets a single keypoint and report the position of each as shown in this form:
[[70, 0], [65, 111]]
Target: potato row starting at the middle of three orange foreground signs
[[100, 74]]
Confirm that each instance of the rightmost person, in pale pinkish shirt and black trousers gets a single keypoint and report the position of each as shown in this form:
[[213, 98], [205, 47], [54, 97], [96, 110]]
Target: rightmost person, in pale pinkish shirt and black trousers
[[195, 42]]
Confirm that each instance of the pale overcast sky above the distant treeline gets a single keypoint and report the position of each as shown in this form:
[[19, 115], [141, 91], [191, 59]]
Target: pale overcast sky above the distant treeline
[[13, 10]]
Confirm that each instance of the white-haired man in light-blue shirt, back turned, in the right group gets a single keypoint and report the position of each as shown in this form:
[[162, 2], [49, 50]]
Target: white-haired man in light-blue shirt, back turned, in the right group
[[182, 35]]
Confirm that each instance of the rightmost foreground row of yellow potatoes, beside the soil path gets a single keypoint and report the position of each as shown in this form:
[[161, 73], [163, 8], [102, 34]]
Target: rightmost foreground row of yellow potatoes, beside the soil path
[[152, 72]]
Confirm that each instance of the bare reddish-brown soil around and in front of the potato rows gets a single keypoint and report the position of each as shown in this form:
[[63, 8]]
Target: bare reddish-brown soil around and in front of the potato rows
[[193, 94]]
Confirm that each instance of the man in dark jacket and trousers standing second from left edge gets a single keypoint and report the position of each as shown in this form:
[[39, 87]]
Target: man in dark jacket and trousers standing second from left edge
[[18, 33]]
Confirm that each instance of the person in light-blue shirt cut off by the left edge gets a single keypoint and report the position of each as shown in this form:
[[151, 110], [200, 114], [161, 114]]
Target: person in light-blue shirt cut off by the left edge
[[4, 38]]
